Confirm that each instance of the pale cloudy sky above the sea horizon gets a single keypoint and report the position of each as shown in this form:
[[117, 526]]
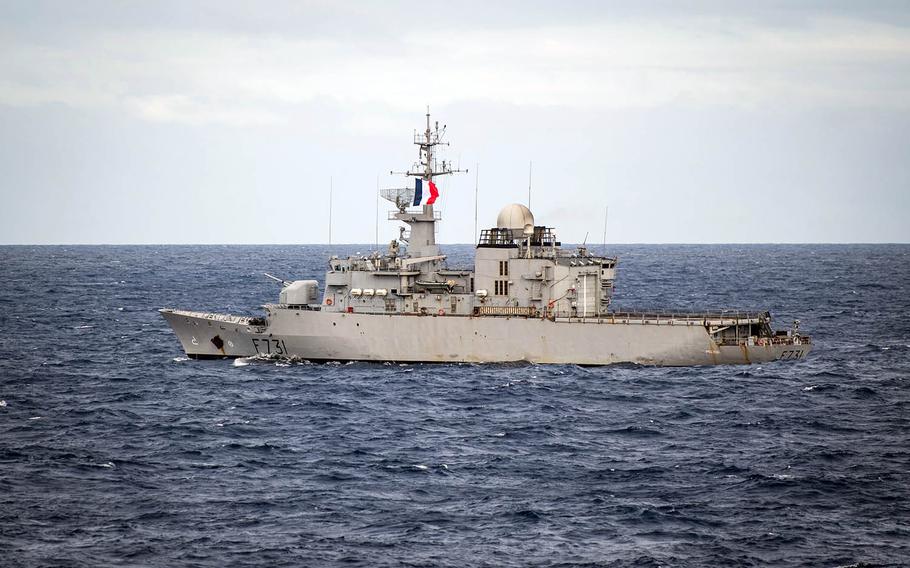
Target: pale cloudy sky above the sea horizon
[[227, 122]]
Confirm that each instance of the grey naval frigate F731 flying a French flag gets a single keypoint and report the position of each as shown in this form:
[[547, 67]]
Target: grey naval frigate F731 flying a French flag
[[526, 299]]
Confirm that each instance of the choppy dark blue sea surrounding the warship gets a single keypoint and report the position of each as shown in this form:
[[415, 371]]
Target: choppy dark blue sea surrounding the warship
[[115, 450]]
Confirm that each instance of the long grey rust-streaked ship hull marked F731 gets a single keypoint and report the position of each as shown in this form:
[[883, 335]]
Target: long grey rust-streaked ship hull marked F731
[[322, 335]]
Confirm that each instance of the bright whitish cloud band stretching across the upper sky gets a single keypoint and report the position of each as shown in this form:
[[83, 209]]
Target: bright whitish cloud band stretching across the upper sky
[[202, 76]]
